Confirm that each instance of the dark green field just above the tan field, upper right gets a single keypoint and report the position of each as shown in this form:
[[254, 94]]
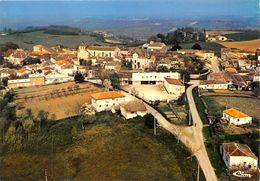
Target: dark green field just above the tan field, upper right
[[243, 36]]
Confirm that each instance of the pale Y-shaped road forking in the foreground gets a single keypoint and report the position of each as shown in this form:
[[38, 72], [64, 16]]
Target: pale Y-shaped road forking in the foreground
[[191, 136]]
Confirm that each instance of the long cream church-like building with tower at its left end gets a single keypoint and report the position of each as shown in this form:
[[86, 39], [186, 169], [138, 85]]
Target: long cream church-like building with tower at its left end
[[85, 52]]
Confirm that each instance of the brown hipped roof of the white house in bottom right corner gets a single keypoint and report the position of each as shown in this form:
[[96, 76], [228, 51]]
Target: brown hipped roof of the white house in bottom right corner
[[236, 149]]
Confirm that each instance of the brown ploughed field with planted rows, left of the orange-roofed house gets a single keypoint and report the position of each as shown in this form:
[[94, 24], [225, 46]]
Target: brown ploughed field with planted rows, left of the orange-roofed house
[[60, 100]]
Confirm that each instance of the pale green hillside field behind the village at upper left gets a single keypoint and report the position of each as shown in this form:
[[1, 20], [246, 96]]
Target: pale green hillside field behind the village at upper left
[[27, 40]]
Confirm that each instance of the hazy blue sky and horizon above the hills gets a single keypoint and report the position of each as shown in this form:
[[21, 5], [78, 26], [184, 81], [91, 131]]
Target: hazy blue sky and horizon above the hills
[[17, 14]]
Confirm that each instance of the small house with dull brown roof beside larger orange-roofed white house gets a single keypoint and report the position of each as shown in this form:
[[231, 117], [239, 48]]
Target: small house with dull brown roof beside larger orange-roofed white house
[[133, 109]]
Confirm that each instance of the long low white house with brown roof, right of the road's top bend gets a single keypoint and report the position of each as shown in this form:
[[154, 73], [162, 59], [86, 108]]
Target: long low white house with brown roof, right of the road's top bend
[[212, 84]]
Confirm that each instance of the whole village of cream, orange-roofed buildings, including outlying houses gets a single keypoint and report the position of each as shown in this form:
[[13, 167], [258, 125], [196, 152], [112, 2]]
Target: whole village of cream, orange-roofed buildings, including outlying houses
[[151, 72]]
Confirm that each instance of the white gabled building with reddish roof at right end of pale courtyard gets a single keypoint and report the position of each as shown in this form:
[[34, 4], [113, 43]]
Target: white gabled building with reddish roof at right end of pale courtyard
[[173, 86]]
